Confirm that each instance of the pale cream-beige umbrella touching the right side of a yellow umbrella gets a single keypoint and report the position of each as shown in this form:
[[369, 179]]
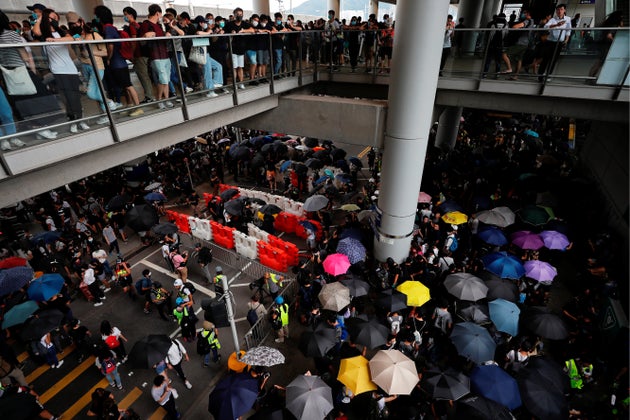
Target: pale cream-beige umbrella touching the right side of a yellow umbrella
[[394, 372]]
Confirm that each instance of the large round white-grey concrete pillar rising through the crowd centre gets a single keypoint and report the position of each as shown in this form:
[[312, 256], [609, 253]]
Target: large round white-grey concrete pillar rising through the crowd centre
[[412, 88]]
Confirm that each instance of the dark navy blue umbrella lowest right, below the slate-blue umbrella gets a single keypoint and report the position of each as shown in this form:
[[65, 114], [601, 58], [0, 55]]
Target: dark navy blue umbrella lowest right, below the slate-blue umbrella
[[495, 384]]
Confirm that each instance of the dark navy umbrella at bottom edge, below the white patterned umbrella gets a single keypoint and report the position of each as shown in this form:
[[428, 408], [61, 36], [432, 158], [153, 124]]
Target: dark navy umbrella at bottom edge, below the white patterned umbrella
[[233, 396]]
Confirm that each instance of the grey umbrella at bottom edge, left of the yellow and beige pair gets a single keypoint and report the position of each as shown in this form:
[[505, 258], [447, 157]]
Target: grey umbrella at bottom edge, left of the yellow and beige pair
[[309, 398]]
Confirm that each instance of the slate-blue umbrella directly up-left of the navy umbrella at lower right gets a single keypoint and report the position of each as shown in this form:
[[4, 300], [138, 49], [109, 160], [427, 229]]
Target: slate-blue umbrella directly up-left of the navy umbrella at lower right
[[473, 342]]
